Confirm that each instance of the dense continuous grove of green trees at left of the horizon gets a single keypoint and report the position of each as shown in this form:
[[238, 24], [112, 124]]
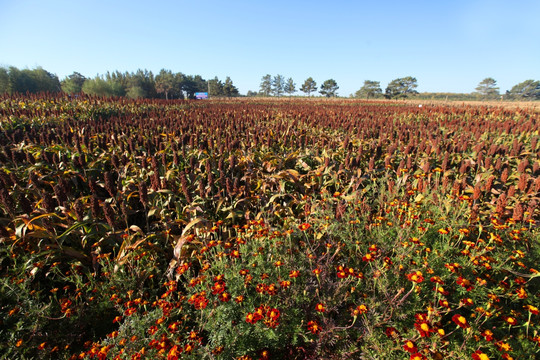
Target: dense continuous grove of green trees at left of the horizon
[[139, 84]]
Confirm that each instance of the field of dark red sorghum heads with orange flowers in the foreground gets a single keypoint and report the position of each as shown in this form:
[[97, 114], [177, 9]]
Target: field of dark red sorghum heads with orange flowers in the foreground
[[265, 229]]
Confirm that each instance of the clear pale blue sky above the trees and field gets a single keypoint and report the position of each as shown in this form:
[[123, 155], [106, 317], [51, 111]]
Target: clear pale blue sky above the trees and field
[[447, 45]]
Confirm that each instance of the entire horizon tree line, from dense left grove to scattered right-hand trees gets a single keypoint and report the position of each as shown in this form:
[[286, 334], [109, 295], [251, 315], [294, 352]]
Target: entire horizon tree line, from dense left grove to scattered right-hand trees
[[170, 85]]
